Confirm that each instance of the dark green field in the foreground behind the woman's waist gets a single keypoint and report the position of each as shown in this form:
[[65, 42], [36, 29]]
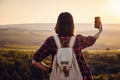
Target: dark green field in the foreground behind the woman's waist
[[16, 65]]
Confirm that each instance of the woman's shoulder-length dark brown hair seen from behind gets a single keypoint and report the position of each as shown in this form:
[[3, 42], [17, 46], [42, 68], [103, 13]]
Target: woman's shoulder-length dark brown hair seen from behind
[[65, 24]]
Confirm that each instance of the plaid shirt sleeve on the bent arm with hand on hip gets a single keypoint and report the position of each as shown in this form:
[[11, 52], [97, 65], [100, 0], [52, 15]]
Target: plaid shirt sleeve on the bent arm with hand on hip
[[43, 51]]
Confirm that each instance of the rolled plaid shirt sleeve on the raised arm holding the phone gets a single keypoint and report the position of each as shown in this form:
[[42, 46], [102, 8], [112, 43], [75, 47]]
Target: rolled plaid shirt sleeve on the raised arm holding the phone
[[87, 41]]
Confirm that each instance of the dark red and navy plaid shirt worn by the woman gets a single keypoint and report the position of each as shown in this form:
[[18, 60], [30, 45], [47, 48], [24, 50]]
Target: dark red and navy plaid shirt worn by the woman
[[81, 42]]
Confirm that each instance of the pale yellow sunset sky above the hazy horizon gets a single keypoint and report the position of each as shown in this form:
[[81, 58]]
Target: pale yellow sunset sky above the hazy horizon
[[47, 11]]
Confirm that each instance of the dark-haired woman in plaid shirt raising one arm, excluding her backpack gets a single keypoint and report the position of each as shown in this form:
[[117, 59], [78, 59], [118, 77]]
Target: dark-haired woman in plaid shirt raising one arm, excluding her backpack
[[65, 29]]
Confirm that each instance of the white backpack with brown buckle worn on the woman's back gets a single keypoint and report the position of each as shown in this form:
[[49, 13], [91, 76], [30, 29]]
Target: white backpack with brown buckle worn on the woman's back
[[65, 66]]
